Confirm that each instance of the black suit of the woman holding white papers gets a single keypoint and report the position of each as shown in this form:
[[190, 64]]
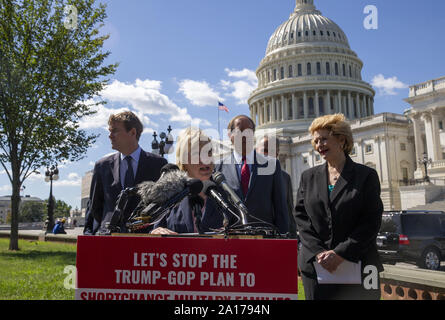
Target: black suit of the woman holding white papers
[[347, 221]]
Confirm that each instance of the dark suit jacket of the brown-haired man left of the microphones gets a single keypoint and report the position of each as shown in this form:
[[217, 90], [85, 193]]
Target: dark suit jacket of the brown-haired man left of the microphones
[[106, 186]]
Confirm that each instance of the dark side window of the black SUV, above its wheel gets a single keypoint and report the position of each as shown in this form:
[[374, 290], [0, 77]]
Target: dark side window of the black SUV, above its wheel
[[421, 225]]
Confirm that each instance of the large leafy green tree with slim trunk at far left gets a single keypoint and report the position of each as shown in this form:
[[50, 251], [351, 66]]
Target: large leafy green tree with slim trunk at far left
[[51, 65]]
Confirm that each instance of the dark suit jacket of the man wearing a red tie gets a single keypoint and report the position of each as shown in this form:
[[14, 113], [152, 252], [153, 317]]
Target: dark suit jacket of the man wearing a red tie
[[265, 198]]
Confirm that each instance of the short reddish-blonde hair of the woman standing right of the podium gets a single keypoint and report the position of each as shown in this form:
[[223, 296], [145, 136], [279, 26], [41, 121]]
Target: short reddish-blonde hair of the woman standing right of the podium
[[337, 125]]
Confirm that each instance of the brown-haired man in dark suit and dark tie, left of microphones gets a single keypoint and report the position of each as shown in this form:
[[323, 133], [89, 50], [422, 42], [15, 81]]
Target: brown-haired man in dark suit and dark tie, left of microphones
[[128, 167]]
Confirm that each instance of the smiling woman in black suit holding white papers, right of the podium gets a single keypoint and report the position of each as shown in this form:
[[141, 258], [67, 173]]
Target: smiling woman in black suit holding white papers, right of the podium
[[338, 215]]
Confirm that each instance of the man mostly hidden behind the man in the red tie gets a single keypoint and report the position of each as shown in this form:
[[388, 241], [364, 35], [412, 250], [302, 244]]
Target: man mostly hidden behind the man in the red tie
[[263, 147]]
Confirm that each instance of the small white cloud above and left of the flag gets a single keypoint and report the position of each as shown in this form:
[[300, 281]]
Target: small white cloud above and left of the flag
[[199, 93]]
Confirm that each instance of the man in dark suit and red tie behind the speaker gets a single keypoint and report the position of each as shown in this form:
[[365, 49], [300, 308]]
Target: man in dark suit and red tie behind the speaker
[[256, 179]]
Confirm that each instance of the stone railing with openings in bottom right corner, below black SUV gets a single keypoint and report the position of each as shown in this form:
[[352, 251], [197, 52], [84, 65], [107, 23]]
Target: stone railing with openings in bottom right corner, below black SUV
[[404, 283]]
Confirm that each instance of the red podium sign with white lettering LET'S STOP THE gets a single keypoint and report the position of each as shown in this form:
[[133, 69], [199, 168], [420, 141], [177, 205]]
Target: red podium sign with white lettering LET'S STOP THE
[[153, 268]]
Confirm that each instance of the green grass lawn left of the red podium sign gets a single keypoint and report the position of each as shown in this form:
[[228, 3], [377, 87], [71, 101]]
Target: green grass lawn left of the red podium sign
[[35, 272]]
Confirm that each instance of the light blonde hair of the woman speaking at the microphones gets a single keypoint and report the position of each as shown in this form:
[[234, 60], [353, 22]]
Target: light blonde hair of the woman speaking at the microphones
[[190, 141]]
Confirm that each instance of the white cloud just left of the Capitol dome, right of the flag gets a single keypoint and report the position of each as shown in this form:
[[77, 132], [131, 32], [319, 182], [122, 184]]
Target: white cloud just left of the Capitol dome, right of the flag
[[240, 89]]
